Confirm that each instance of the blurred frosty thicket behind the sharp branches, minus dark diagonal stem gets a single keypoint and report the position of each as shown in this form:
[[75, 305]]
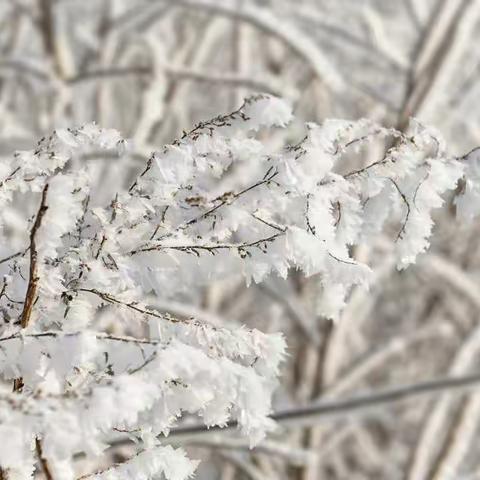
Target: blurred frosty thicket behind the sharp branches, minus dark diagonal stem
[[152, 68]]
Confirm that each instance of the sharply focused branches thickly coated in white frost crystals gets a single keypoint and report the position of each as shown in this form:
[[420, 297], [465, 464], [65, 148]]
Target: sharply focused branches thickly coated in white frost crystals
[[76, 272]]
